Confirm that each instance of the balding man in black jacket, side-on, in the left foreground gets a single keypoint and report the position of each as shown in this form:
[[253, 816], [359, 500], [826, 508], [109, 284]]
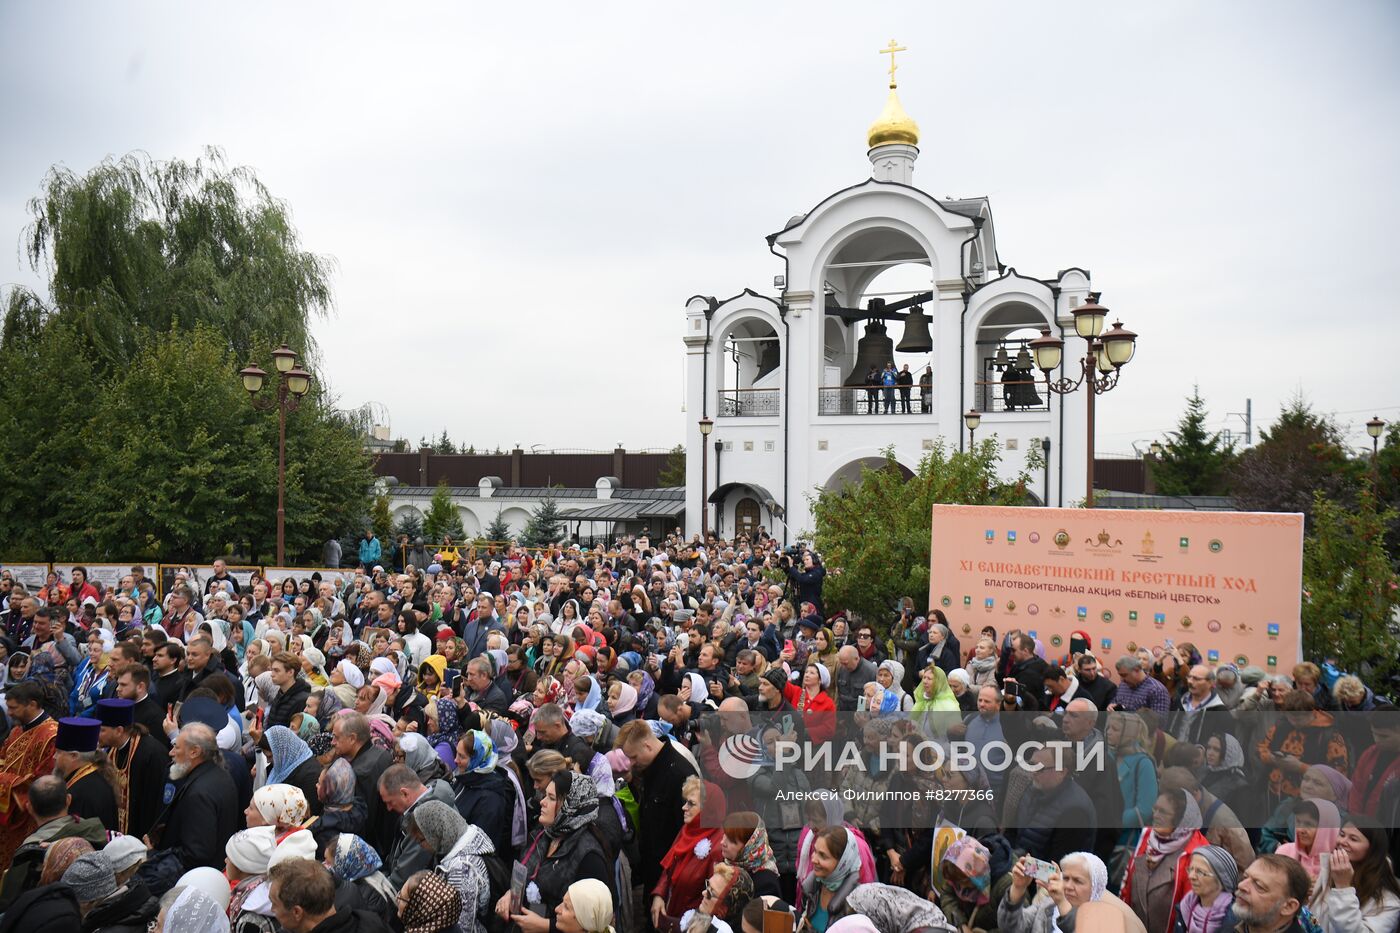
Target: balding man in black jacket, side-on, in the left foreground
[[204, 803]]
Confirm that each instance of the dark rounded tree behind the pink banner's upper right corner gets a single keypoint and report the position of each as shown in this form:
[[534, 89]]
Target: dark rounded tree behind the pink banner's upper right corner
[[1298, 456]]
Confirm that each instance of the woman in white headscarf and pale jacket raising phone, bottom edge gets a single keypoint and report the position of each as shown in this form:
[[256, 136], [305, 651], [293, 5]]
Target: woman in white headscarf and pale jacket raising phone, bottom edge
[[1083, 879]]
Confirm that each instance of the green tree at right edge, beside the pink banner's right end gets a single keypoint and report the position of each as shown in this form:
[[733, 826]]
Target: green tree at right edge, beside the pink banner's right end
[[1350, 586]]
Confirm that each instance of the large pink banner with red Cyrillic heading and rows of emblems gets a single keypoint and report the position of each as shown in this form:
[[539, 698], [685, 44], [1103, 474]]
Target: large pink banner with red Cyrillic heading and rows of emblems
[[1227, 582]]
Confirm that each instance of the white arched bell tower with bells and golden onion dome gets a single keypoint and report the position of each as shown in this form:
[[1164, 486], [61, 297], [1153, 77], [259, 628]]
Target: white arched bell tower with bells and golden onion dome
[[876, 274]]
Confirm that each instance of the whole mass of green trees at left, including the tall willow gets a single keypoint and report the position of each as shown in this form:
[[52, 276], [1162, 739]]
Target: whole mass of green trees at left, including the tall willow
[[129, 435]]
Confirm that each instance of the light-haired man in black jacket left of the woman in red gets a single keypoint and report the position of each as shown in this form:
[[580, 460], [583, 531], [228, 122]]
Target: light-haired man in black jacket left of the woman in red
[[660, 773]]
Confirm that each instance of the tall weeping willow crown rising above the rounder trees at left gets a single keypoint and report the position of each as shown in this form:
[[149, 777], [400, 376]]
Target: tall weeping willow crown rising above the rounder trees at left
[[138, 246]]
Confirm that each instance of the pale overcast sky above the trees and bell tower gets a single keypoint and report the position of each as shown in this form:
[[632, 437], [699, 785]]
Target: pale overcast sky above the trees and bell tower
[[520, 198]]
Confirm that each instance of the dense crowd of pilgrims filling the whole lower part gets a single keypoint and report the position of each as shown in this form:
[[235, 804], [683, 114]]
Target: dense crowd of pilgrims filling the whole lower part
[[531, 742]]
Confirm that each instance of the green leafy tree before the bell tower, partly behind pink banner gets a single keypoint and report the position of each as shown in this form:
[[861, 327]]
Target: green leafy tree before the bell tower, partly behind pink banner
[[874, 534]]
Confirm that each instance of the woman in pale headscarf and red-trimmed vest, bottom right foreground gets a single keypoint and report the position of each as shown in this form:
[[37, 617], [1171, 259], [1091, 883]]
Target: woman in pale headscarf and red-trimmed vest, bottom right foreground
[[1157, 880]]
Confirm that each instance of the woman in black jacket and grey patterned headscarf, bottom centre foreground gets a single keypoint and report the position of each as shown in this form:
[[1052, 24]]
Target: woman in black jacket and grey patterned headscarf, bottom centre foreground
[[565, 851]]
